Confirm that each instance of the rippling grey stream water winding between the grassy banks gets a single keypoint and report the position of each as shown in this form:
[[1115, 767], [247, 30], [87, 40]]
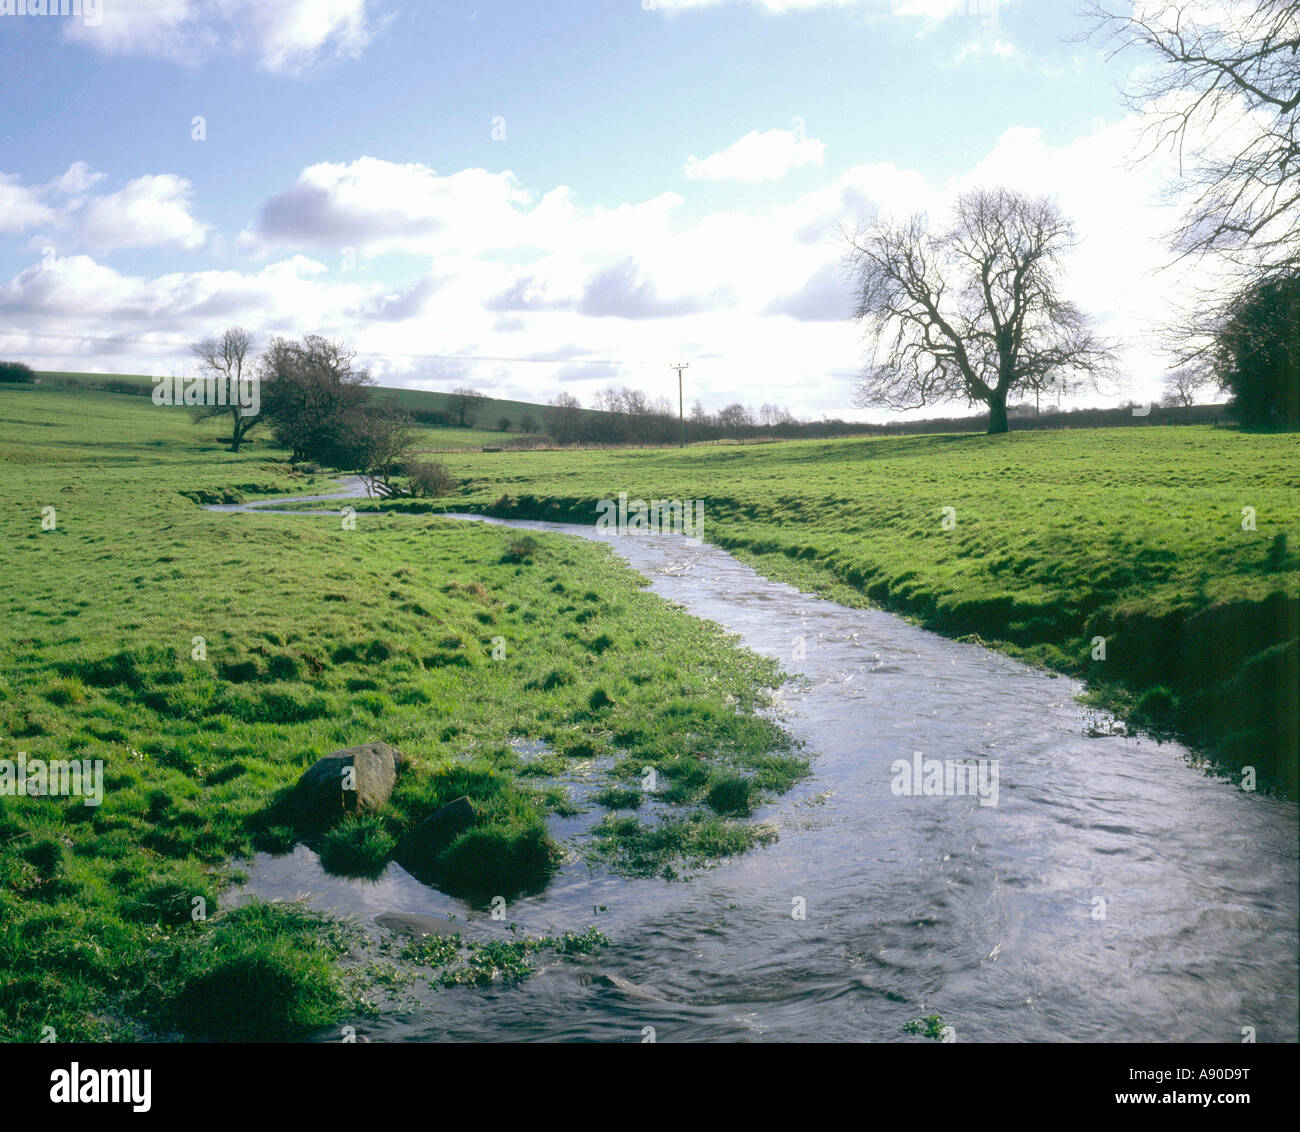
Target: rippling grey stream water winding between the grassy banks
[[1113, 892]]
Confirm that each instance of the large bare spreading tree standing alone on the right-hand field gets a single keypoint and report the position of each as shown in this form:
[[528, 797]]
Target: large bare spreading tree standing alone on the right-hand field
[[973, 311]]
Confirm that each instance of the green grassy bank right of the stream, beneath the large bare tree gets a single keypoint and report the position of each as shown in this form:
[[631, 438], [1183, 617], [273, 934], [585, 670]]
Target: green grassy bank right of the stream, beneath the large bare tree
[[1141, 537]]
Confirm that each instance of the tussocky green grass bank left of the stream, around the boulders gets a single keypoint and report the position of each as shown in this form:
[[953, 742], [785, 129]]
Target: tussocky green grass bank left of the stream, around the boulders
[[441, 639]]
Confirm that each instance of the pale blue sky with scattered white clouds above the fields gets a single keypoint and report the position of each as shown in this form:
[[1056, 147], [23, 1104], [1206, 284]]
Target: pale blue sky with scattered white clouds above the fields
[[532, 198]]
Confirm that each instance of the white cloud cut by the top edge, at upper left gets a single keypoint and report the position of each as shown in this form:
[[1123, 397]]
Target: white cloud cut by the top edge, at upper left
[[285, 37]]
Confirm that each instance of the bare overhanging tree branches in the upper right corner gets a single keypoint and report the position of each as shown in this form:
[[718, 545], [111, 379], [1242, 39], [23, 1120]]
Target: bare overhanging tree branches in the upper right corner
[[1224, 93]]
